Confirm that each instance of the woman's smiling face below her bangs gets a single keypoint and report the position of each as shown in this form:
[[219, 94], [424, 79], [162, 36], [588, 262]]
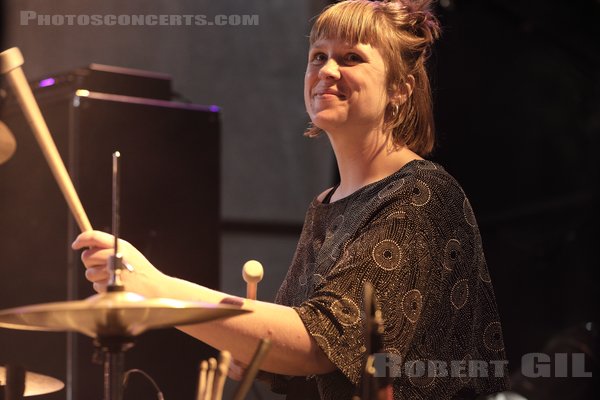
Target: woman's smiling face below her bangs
[[345, 86]]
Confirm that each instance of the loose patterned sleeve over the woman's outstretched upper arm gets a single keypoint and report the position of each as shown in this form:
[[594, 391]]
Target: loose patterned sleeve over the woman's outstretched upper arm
[[391, 253]]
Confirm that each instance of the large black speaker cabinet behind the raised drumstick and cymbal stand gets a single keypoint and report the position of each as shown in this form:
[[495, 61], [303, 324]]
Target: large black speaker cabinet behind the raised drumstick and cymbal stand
[[169, 210]]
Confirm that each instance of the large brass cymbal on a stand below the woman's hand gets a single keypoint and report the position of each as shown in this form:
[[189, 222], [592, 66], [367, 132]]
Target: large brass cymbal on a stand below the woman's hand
[[114, 314]]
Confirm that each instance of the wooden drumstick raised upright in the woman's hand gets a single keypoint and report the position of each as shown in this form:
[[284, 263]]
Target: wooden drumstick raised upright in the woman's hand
[[10, 65]]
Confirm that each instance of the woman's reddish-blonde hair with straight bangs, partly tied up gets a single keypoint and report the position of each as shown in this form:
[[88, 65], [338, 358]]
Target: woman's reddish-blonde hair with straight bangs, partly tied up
[[403, 32]]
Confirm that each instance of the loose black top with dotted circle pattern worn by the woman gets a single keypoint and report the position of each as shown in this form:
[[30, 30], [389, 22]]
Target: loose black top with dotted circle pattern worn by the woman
[[414, 237]]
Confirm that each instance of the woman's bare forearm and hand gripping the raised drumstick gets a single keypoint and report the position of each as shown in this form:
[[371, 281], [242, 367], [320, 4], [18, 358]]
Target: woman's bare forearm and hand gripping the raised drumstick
[[293, 350]]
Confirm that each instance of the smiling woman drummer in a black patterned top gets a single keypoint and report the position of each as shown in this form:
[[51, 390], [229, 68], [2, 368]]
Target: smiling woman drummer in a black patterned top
[[395, 220]]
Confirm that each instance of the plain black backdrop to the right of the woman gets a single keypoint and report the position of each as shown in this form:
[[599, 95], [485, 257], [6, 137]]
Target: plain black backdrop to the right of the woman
[[518, 112]]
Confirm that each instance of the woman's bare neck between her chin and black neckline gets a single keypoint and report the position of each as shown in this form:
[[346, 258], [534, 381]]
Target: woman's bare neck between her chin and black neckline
[[364, 159]]
